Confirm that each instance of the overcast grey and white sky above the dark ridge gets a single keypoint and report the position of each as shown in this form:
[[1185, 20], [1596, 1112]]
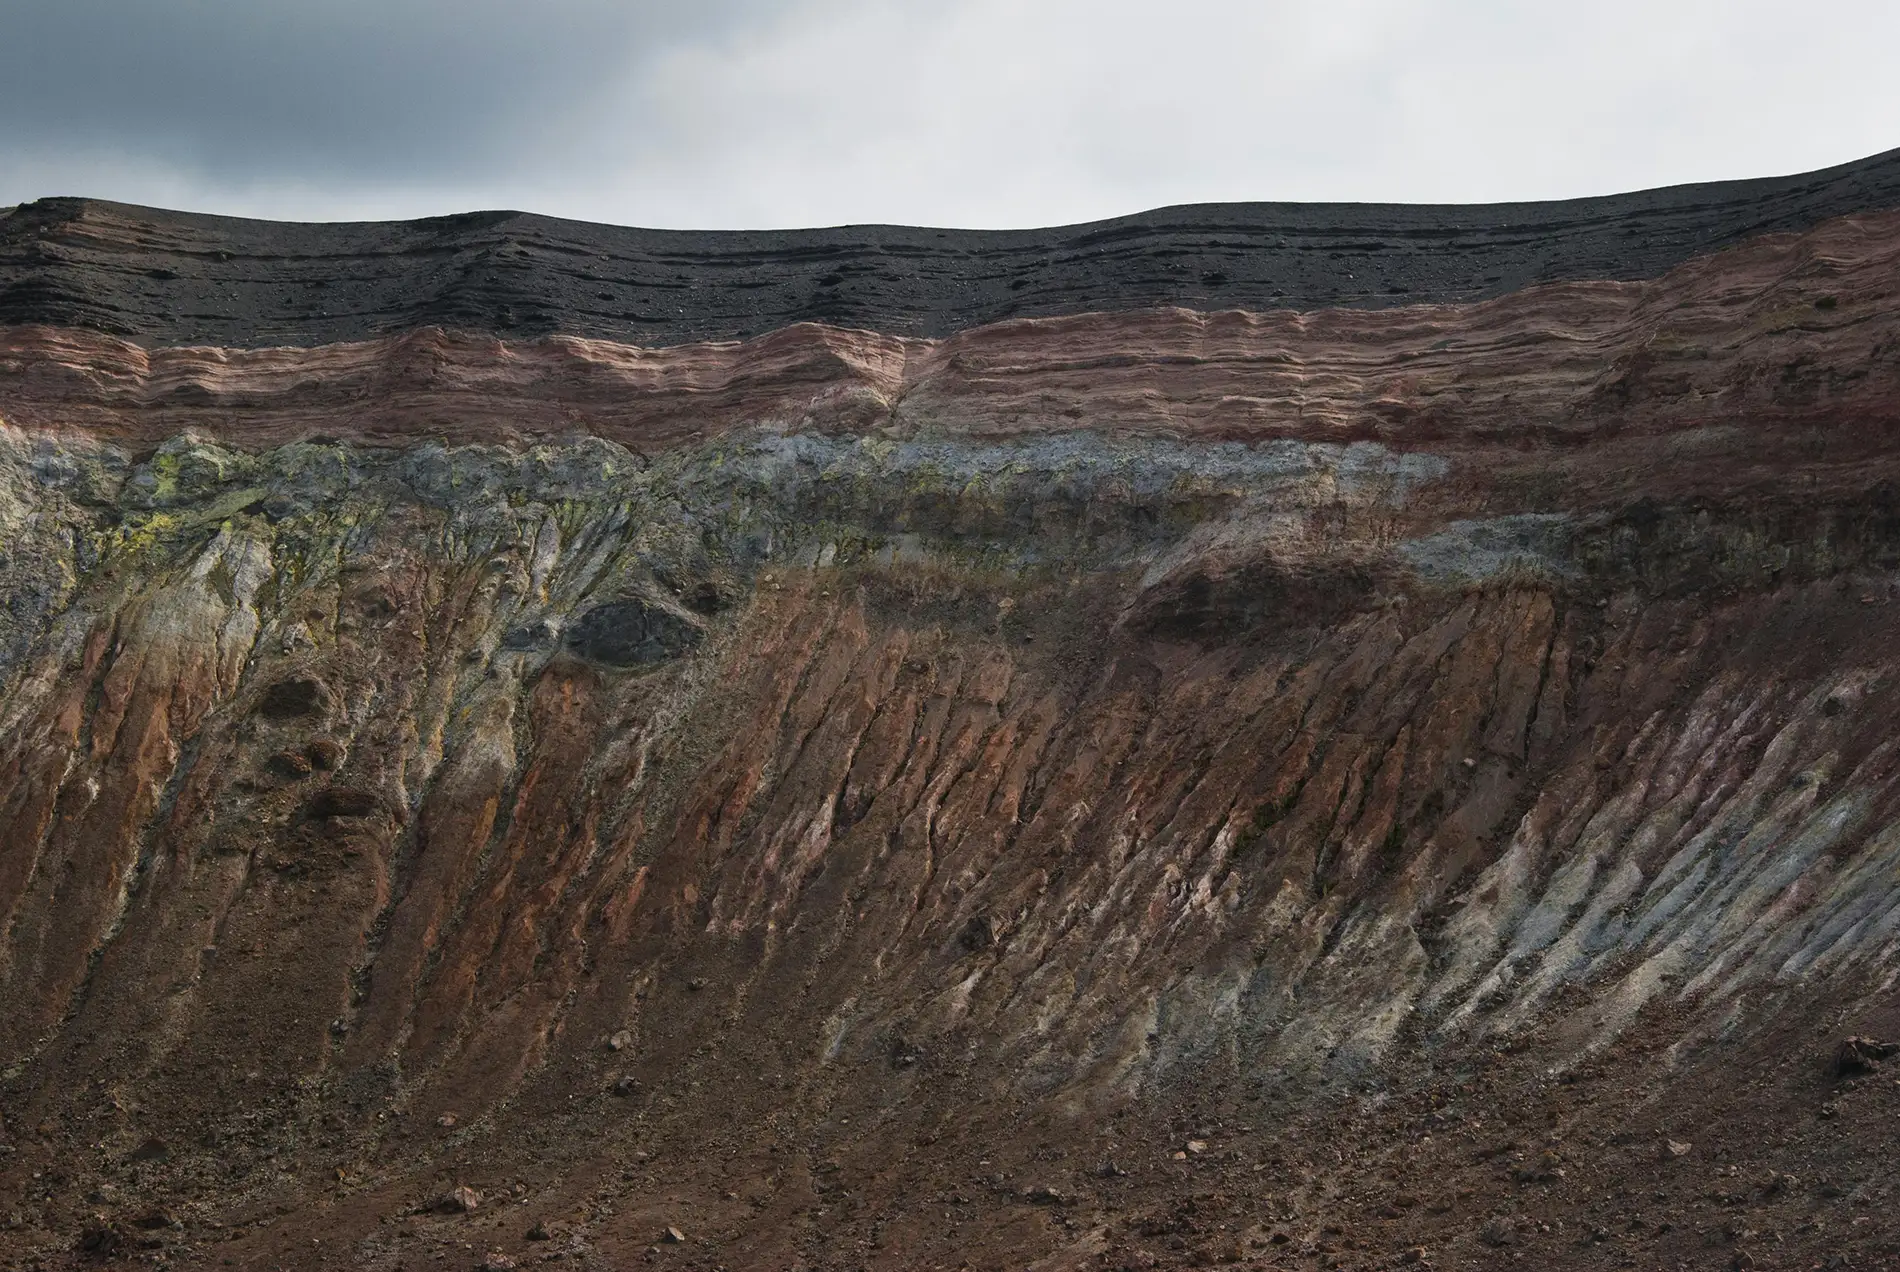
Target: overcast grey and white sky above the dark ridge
[[960, 113]]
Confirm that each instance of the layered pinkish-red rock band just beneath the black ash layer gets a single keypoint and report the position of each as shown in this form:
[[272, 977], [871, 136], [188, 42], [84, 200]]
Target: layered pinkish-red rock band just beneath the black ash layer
[[1785, 334]]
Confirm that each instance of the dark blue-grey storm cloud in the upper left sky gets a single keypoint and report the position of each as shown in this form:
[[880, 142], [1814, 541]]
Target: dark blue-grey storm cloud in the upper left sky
[[356, 90]]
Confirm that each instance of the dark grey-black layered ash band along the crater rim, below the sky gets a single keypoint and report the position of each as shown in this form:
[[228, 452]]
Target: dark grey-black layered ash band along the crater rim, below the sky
[[176, 279]]
